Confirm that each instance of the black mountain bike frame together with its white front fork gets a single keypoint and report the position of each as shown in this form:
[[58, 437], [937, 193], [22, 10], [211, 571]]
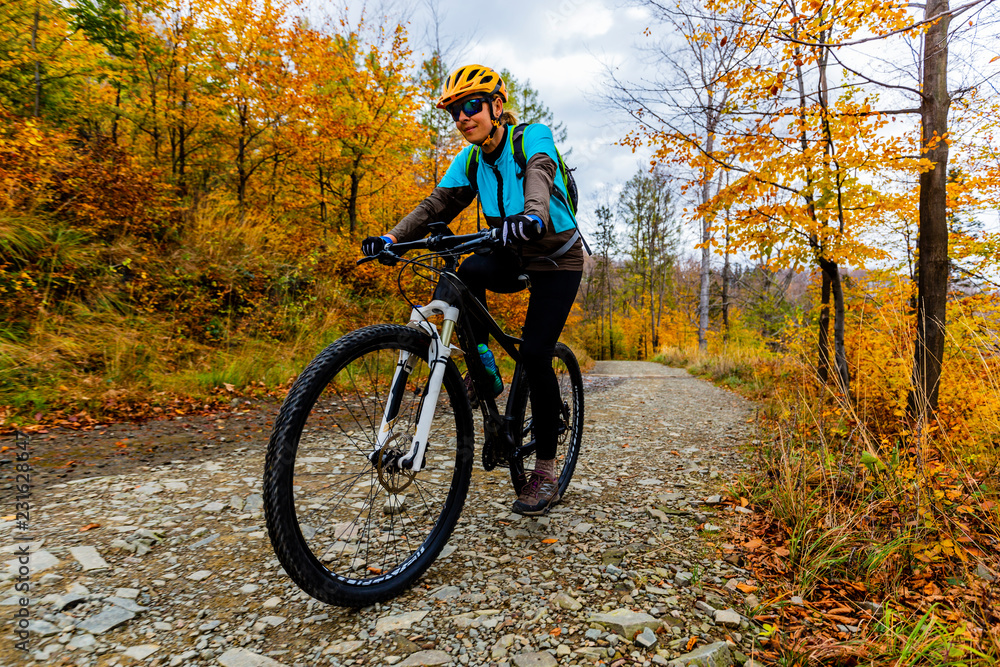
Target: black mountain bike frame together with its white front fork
[[458, 306]]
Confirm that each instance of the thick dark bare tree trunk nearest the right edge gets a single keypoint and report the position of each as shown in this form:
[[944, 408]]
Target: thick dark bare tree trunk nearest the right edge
[[932, 244]]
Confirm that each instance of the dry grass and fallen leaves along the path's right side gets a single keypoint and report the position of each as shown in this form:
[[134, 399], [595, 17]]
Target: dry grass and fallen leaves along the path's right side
[[852, 491]]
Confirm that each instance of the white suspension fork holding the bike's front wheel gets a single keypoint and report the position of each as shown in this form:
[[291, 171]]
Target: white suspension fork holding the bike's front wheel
[[438, 354]]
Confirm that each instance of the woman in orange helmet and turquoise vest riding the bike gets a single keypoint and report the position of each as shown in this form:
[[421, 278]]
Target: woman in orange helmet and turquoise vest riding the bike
[[540, 237]]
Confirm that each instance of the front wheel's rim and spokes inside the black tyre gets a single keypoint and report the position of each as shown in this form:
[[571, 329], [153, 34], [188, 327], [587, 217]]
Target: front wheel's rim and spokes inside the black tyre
[[360, 515]]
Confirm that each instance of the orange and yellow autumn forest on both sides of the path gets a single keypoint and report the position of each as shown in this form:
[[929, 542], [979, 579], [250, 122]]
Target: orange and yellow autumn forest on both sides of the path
[[183, 187]]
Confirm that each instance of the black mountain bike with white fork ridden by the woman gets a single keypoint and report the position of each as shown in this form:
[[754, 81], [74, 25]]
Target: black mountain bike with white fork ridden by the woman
[[370, 458]]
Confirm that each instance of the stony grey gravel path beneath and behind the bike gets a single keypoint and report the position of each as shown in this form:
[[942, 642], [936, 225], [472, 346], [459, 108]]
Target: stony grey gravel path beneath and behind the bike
[[180, 571]]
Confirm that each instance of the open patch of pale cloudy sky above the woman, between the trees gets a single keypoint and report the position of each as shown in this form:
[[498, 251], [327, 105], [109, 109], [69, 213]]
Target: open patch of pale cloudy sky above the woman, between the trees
[[562, 48]]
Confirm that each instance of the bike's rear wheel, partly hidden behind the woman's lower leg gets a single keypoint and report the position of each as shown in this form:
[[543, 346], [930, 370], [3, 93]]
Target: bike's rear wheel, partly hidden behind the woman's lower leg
[[570, 433]]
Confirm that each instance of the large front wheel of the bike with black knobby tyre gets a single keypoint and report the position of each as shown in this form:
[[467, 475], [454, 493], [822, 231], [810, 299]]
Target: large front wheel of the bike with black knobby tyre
[[350, 525]]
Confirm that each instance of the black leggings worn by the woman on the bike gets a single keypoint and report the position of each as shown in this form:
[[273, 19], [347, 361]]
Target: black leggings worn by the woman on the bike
[[551, 298]]
